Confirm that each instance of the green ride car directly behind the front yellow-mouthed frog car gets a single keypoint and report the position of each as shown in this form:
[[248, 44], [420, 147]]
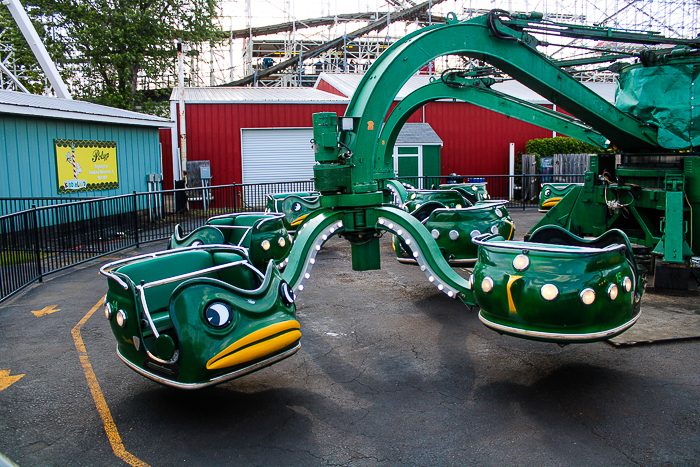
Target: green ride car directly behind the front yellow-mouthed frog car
[[262, 234]]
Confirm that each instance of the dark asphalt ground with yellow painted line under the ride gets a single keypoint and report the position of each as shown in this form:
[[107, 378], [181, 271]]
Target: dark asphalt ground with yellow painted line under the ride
[[391, 372]]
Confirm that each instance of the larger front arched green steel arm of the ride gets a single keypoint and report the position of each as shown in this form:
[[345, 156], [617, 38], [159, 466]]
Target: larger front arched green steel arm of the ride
[[475, 39]]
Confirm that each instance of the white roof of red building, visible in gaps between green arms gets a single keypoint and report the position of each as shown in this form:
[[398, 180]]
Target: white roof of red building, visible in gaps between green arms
[[348, 82]]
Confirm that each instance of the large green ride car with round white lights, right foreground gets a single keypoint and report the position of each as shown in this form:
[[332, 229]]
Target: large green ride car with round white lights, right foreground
[[558, 287]]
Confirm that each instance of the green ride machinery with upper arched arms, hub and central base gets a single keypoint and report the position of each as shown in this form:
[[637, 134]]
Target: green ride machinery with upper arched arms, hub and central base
[[646, 184]]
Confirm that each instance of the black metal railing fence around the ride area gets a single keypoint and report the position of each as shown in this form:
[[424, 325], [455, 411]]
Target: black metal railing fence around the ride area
[[44, 235]]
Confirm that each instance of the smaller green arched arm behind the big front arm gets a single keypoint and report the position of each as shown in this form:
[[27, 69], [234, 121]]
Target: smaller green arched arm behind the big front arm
[[483, 97]]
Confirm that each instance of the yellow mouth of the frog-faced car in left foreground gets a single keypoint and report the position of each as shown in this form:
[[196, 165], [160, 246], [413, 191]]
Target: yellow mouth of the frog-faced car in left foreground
[[261, 343]]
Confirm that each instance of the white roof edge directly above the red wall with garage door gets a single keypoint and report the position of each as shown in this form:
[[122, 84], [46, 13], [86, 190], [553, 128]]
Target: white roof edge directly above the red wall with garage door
[[249, 95]]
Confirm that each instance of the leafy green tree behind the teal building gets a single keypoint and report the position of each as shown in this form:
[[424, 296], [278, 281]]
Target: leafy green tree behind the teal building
[[108, 45]]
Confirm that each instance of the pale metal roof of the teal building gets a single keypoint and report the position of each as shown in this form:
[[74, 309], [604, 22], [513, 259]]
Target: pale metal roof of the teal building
[[20, 103]]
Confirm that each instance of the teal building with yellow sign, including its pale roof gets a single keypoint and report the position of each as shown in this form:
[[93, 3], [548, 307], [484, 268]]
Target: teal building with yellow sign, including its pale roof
[[53, 147]]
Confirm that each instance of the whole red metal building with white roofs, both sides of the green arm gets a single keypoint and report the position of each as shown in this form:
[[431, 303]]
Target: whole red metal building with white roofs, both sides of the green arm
[[221, 126]]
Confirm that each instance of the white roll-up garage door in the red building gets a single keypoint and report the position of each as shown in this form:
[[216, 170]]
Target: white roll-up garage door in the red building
[[277, 155]]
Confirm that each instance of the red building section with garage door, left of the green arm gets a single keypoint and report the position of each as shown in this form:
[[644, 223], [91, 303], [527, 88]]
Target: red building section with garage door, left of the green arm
[[218, 120]]
